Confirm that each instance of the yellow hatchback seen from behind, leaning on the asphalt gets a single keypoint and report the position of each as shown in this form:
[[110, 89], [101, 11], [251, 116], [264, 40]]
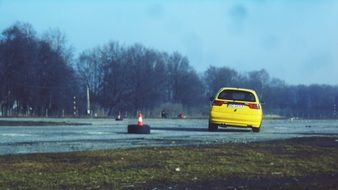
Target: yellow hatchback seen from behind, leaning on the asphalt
[[236, 107]]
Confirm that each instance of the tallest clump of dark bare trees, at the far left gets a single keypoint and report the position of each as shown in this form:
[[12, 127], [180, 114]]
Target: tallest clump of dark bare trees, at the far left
[[35, 73]]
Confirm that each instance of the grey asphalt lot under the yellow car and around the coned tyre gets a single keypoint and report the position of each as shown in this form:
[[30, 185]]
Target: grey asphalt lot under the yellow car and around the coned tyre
[[111, 134]]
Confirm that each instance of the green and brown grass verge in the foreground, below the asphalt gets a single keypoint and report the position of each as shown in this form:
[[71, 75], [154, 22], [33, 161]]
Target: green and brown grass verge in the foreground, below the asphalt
[[306, 163]]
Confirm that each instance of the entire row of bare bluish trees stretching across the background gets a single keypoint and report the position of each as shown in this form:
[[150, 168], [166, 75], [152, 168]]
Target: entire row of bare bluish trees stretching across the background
[[40, 76]]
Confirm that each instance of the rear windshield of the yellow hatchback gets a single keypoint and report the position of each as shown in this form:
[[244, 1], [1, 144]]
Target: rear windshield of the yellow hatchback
[[237, 95]]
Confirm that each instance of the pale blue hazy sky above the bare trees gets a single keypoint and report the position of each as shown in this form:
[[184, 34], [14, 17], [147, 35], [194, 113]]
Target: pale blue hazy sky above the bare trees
[[296, 41]]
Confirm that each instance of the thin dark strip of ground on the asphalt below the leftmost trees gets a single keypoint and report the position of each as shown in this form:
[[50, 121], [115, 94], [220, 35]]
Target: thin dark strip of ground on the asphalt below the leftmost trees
[[37, 123]]
